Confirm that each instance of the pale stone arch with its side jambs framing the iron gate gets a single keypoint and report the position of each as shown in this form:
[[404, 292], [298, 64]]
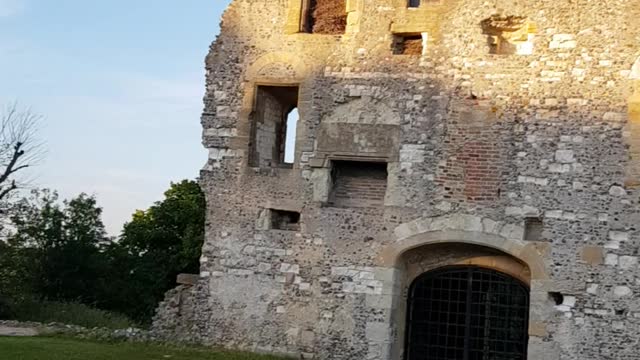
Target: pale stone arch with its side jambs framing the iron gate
[[427, 244]]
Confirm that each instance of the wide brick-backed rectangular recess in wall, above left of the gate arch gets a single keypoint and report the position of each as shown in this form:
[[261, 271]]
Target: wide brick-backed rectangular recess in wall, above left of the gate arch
[[358, 184]]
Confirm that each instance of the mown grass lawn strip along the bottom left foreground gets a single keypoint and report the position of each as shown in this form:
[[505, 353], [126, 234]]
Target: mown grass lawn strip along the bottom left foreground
[[43, 348]]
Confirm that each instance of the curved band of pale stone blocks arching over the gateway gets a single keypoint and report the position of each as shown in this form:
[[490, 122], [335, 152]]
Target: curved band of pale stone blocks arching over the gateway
[[465, 229]]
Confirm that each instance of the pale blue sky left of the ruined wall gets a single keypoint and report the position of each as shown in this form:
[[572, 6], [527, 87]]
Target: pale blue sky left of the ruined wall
[[120, 84]]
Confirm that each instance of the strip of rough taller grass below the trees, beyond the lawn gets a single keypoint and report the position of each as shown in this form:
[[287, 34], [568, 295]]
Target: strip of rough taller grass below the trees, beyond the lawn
[[68, 313]]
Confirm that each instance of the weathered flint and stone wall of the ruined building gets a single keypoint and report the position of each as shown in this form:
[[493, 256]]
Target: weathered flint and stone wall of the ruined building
[[475, 141]]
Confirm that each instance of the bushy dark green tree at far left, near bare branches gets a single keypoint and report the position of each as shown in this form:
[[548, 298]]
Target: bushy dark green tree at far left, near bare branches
[[63, 243]]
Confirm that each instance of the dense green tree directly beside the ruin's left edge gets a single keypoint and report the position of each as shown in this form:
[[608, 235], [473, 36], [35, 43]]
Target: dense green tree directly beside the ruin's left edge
[[156, 246]]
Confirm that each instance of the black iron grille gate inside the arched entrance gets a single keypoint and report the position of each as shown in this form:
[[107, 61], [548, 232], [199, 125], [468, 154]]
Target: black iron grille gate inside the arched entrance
[[467, 313]]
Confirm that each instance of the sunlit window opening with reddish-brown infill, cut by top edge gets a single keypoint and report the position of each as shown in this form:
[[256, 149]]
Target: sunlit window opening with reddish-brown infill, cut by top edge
[[327, 17]]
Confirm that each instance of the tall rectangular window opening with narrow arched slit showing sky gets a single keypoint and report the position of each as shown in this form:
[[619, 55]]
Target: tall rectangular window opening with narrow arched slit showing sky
[[274, 124]]
